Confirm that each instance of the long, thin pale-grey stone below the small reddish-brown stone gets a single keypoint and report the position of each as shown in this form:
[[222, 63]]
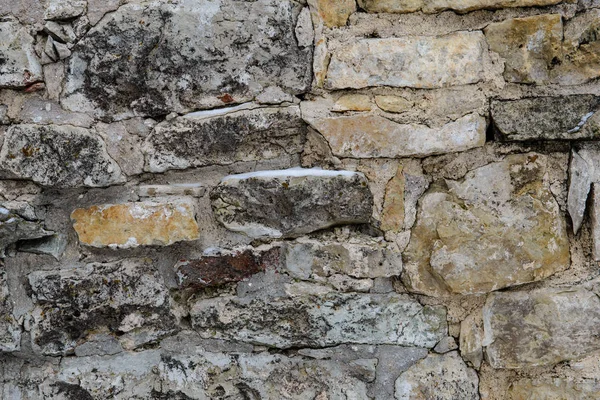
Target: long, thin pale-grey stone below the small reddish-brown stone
[[321, 320]]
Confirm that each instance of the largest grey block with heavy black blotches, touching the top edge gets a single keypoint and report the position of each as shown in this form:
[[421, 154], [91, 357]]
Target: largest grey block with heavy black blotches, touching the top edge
[[150, 59]]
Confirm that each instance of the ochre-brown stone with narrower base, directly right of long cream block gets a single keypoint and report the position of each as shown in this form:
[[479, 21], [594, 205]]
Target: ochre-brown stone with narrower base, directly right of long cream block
[[529, 46]]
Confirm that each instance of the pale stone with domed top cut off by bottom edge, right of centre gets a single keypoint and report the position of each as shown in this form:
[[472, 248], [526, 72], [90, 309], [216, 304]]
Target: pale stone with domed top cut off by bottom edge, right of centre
[[439, 376]]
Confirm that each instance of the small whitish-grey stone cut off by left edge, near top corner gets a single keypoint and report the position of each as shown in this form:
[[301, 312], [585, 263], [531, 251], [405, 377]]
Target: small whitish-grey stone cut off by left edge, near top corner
[[19, 65]]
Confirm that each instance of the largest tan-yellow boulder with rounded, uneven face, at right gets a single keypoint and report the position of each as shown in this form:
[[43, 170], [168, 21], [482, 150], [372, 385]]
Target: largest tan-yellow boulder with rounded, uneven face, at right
[[498, 227]]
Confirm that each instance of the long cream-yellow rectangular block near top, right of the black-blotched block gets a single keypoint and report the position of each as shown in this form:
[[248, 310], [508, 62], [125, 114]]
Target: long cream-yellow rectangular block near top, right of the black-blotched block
[[427, 62]]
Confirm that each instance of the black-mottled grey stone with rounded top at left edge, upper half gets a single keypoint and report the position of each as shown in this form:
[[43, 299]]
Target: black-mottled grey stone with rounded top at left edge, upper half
[[61, 156]]
